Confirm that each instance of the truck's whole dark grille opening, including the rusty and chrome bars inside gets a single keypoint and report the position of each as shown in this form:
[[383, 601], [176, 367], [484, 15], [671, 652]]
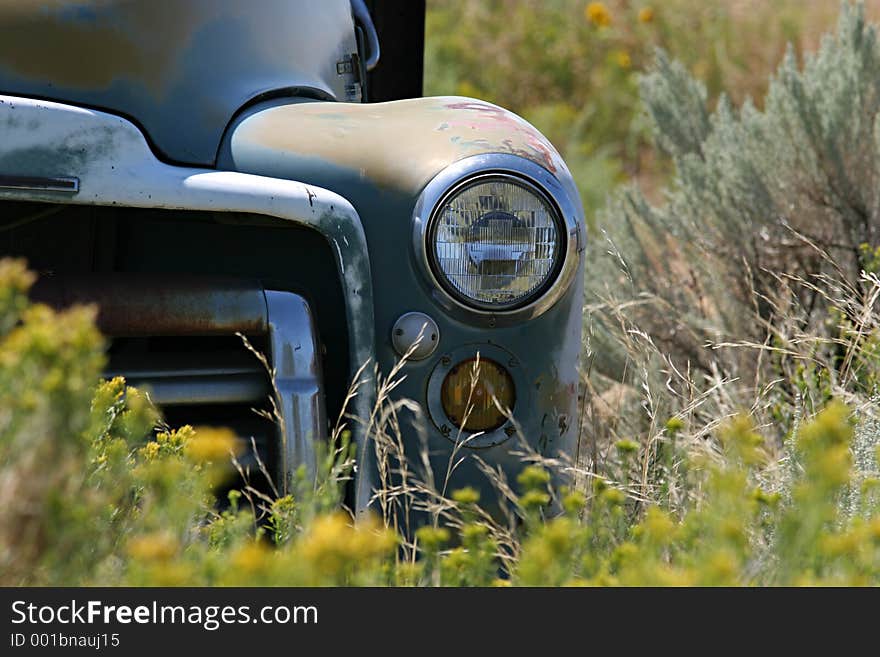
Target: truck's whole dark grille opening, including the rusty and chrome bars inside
[[158, 277]]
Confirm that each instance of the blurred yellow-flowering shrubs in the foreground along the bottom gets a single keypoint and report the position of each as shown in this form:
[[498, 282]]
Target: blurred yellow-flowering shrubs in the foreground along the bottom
[[112, 496]]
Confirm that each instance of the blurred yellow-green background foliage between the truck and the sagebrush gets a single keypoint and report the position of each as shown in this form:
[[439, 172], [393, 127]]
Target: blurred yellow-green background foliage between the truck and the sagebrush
[[571, 67]]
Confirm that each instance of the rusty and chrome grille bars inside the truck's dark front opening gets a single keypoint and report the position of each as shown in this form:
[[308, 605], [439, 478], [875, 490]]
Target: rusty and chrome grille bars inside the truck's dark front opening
[[176, 335]]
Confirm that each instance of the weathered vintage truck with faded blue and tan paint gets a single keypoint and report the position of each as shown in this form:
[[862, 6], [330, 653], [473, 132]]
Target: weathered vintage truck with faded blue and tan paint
[[202, 169]]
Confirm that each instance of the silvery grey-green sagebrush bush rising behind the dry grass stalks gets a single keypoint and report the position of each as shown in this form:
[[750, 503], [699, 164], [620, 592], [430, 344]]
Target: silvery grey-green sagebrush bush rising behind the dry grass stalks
[[792, 188]]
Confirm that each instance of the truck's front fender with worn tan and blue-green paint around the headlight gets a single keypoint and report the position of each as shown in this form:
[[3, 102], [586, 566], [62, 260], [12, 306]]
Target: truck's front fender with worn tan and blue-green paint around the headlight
[[382, 157]]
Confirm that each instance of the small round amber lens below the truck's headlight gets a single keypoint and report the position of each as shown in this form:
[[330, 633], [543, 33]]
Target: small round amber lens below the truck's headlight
[[470, 390]]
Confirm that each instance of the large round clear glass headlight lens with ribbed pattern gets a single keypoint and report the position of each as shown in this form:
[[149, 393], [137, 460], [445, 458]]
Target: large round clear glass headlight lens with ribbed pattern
[[495, 243]]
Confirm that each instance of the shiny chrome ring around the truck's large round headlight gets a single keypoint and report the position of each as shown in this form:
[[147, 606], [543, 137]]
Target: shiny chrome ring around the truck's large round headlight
[[523, 172]]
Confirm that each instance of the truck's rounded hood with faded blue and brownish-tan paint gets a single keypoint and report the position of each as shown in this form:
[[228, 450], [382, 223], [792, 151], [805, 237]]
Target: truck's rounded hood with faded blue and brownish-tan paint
[[182, 68]]
